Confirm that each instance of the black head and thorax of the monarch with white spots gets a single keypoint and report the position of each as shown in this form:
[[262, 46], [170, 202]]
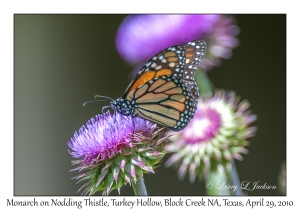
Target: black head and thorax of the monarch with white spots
[[123, 106]]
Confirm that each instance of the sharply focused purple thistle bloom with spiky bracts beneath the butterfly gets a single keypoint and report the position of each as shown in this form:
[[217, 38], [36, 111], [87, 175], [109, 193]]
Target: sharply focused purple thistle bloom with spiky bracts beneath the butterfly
[[116, 150]]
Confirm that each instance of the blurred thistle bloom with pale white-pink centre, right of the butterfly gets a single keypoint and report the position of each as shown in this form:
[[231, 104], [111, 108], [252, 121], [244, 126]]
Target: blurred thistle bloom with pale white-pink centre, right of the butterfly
[[216, 135]]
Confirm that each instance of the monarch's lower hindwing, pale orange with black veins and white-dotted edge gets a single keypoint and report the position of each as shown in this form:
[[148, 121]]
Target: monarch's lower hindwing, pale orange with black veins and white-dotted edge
[[164, 100]]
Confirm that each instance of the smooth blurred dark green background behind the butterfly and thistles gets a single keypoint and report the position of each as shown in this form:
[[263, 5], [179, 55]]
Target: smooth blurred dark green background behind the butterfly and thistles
[[61, 61]]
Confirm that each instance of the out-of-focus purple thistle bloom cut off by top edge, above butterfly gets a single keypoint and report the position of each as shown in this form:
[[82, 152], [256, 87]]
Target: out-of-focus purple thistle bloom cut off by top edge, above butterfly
[[142, 36]]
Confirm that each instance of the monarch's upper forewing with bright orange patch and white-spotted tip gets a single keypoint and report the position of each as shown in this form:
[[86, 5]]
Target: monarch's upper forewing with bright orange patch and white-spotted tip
[[180, 61]]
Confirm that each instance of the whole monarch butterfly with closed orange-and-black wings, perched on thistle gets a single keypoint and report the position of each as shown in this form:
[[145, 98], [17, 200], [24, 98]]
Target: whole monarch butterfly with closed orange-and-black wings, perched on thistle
[[164, 91]]
